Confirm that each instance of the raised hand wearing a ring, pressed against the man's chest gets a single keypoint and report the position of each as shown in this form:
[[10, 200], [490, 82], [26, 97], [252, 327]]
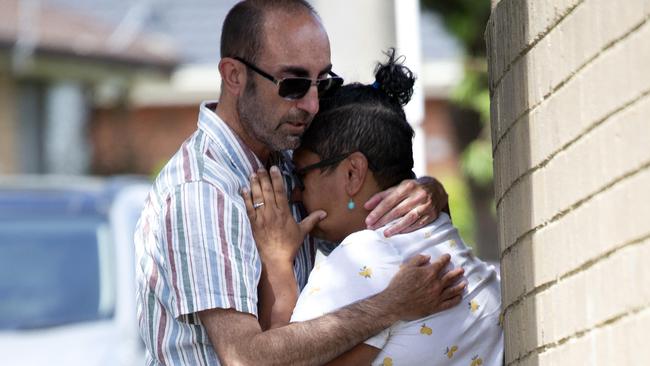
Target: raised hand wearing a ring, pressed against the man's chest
[[277, 235]]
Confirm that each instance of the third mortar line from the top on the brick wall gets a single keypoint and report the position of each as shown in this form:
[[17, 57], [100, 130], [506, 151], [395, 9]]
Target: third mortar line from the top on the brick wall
[[582, 134]]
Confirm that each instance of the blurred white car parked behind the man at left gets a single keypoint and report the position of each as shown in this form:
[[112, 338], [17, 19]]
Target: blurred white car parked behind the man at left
[[67, 271]]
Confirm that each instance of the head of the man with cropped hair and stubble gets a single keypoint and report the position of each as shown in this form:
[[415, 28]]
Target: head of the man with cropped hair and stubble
[[272, 39]]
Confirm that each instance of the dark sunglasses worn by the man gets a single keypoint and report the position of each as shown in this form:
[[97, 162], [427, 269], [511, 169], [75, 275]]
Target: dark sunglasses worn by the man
[[293, 88]]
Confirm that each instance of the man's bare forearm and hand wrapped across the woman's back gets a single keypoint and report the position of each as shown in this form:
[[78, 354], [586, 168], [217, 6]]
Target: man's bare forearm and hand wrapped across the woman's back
[[416, 291]]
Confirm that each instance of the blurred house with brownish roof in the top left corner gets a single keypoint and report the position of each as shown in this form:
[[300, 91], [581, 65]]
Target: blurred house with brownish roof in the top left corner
[[56, 67]]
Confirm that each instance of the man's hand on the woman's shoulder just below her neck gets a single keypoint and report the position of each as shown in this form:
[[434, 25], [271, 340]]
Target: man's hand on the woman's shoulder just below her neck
[[417, 202]]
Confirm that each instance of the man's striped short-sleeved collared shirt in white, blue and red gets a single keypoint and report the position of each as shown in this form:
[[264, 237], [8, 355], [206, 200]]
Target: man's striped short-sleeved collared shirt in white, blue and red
[[194, 245]]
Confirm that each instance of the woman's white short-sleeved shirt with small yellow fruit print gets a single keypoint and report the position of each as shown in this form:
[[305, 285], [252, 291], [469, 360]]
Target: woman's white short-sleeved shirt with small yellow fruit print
[[364, 264]]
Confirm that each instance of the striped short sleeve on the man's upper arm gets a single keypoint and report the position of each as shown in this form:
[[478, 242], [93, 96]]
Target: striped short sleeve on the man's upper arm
[[210, 258]]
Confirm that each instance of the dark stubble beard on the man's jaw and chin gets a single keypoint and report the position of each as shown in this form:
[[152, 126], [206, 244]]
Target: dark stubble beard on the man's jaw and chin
[[254, 118]]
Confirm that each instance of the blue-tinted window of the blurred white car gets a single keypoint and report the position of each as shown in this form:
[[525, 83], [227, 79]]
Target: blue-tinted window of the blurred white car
[[54, 272]]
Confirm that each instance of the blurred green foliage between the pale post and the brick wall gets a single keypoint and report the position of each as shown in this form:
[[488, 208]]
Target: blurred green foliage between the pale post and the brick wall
[[466, 20]]
